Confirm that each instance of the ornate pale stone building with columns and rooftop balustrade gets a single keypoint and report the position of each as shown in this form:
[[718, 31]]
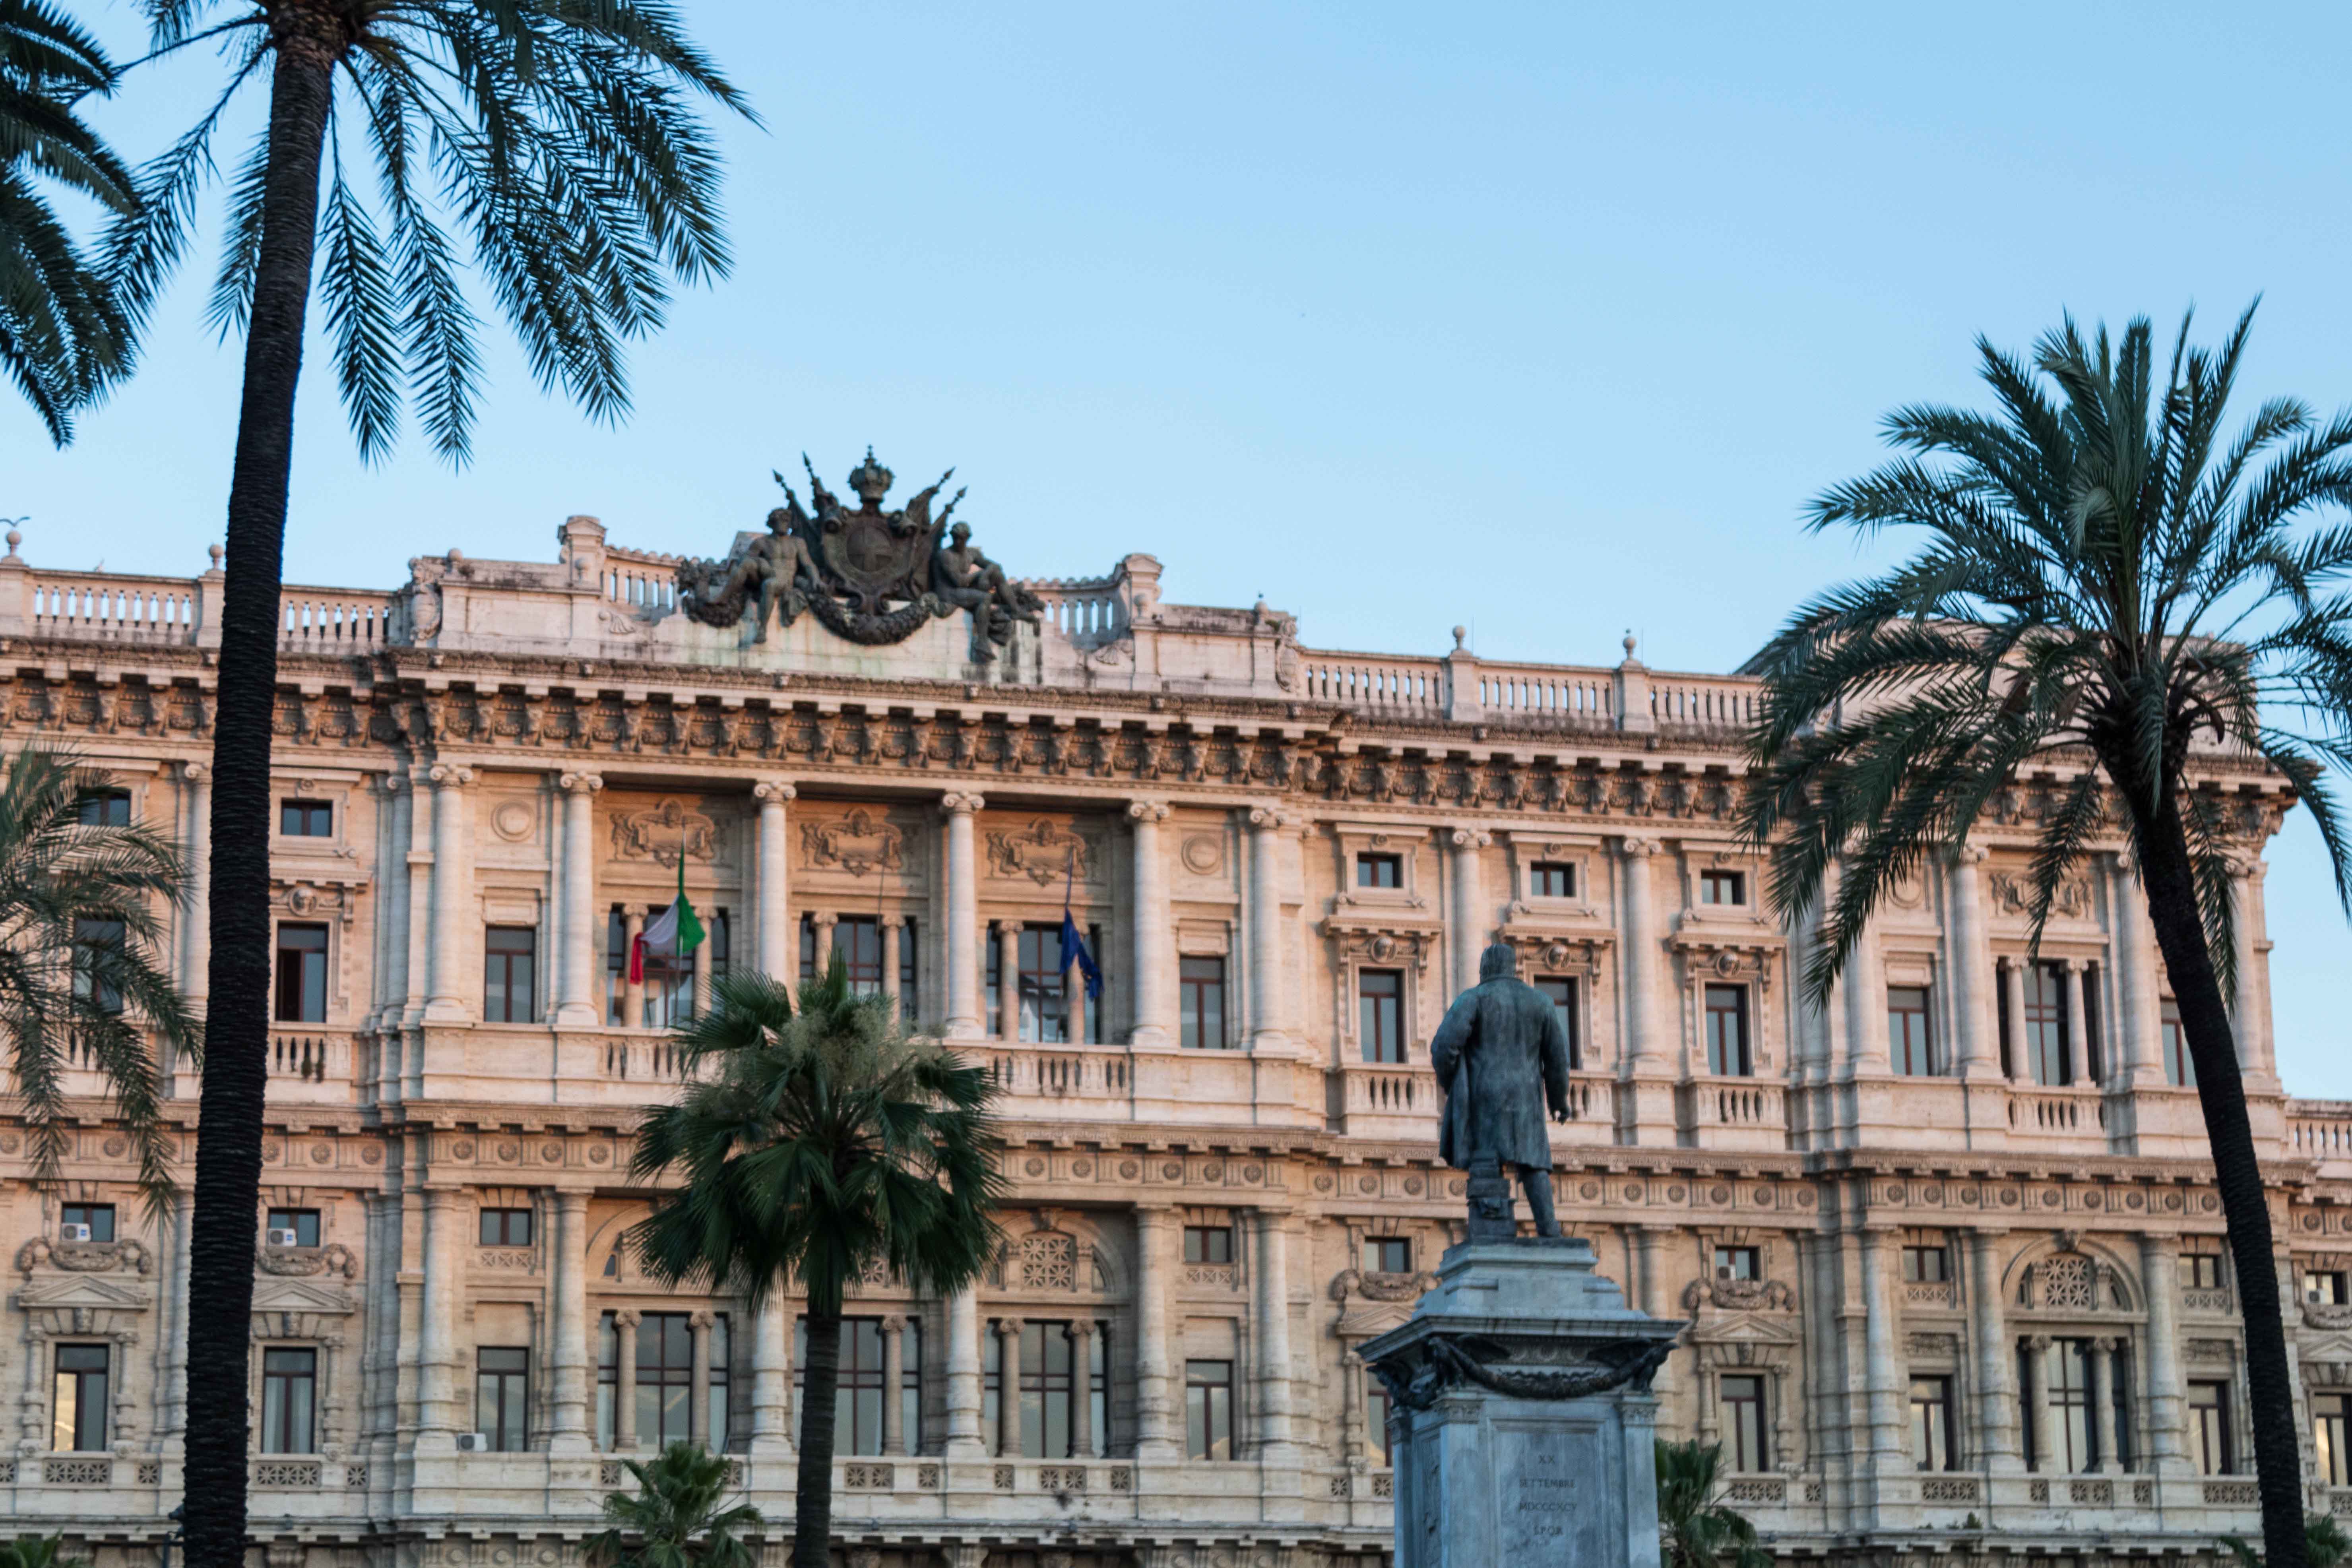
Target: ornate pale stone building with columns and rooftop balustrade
[[1951, 1261]]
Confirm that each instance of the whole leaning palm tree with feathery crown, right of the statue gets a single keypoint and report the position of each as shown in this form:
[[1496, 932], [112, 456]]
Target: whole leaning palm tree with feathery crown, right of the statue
[[2104, 591]]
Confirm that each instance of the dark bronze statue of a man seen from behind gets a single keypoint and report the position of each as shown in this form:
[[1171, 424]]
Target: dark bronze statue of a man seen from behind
[[1502, 1059]]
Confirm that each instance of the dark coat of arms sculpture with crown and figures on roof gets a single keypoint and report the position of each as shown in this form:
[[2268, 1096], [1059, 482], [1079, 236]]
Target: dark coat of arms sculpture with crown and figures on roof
[[864, 572]]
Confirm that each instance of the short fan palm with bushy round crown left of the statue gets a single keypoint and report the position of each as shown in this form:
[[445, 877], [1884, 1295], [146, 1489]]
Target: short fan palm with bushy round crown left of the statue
[[815, 1146]]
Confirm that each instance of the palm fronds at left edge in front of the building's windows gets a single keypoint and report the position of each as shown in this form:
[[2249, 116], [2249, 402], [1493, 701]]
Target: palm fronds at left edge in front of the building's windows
[[81, 974]]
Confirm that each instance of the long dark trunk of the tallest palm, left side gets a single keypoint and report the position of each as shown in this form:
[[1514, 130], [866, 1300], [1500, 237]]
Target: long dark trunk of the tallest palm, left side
[[239, 1024]]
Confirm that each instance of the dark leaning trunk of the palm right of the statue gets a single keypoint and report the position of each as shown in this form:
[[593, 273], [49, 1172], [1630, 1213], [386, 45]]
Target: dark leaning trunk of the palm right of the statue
[[2238, 1174]]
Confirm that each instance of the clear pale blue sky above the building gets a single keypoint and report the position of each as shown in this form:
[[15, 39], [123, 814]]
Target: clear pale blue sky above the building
[[1530, 319]]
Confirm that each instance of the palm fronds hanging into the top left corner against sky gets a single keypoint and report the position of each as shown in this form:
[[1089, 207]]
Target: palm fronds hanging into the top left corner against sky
[[62, 333]]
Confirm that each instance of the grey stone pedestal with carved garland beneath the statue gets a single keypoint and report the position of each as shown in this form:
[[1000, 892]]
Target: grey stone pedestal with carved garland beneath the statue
[[1521, 1414]]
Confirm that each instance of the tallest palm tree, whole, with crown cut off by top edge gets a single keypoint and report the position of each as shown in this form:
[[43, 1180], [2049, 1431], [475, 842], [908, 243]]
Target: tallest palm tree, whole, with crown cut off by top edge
[[563, 140]]
